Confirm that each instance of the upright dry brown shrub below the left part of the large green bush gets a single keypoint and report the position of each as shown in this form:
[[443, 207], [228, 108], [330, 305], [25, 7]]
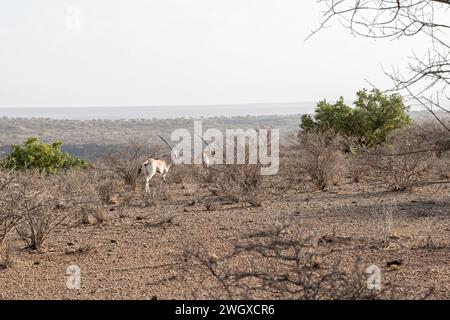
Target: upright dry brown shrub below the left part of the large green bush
[[321, 157]]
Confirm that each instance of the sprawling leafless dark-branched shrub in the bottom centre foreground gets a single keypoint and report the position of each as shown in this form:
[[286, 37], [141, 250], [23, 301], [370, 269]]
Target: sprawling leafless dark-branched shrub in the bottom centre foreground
[[280, 265]]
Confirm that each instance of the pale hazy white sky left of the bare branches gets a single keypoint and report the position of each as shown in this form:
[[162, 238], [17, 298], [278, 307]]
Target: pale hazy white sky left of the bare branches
[[158, 52]]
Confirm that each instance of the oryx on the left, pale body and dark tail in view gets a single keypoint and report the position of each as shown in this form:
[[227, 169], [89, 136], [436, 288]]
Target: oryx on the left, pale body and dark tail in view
[[160, 165]]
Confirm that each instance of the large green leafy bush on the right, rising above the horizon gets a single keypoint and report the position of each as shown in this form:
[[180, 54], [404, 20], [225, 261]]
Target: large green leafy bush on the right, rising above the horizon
[[371, 120]]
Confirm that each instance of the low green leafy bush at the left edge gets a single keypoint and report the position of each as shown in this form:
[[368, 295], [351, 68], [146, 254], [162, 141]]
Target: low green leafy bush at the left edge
[[41, 156]]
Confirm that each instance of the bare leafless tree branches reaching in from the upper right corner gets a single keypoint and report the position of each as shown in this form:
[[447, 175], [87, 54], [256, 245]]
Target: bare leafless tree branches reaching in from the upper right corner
[[428, 78]]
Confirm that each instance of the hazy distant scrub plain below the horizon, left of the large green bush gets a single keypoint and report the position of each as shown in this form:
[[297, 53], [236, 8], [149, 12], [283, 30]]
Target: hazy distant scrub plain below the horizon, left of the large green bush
[[92, 138]]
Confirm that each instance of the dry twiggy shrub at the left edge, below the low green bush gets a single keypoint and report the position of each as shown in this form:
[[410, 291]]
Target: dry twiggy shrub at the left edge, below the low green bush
[[37, 203]]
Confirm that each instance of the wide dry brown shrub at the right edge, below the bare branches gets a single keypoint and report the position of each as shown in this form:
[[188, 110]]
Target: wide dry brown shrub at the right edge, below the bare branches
[[415, 156]]
